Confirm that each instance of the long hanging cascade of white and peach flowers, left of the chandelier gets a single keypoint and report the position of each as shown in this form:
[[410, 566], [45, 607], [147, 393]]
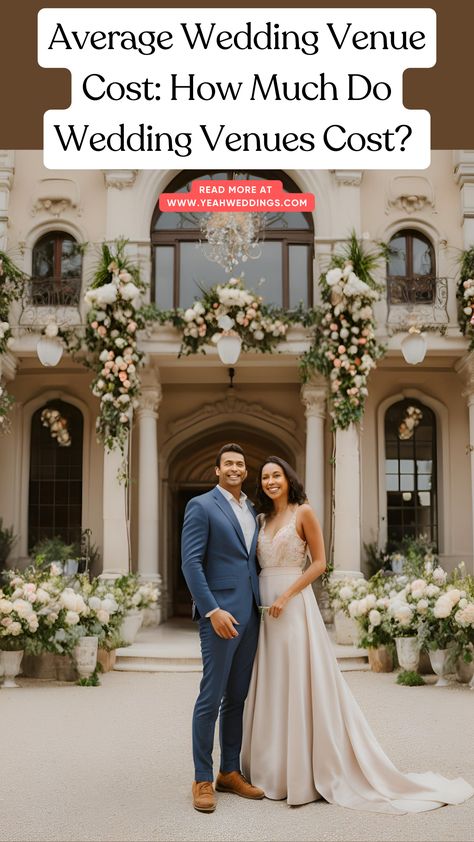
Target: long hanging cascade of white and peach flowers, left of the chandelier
[[110, 338]]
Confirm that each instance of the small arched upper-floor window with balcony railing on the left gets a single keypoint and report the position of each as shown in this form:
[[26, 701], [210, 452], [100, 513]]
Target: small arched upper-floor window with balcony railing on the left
[[56, 270]]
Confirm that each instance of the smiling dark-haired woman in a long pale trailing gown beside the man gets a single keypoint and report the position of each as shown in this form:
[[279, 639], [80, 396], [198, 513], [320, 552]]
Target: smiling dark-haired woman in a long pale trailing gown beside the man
[[305, 737]]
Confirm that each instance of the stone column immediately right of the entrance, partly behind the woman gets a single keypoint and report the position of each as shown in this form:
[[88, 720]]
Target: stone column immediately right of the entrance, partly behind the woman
[[313, 396]]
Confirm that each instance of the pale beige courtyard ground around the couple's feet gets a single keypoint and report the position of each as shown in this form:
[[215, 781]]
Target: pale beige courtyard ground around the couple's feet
[[114, 763]]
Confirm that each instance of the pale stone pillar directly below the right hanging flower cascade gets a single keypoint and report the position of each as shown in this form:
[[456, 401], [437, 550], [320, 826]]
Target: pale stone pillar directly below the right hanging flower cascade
[[347, 504]]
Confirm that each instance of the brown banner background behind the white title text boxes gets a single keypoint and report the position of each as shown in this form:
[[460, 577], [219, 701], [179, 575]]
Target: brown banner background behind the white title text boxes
[[29, 90]]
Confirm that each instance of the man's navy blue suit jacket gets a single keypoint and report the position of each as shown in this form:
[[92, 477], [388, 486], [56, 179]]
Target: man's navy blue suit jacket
[[215, 561]]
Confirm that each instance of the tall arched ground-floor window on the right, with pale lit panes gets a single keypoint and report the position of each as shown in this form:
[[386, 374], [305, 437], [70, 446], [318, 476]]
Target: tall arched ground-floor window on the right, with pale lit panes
[[410, 472]]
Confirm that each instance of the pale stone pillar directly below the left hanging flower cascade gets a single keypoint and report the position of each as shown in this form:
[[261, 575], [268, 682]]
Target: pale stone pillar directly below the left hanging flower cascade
[[115, 514]]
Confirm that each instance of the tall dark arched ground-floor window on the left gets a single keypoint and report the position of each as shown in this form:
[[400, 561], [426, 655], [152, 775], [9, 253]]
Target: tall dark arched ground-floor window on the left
[[55, 486]]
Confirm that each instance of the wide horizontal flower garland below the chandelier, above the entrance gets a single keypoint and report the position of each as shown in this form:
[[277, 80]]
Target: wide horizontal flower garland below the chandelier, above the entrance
[[225, 307]]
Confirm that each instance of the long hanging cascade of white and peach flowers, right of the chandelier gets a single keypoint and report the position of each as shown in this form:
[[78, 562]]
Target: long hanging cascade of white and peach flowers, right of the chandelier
[[344, 347]]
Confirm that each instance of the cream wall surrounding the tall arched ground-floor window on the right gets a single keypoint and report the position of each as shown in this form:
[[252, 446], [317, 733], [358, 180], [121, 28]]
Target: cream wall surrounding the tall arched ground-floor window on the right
[[454, 497]]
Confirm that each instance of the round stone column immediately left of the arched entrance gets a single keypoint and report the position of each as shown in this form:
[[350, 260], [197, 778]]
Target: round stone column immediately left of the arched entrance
[[148, 532]]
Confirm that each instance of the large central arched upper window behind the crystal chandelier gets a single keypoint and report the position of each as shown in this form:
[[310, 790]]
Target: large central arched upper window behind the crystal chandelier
[[180, 268]]
